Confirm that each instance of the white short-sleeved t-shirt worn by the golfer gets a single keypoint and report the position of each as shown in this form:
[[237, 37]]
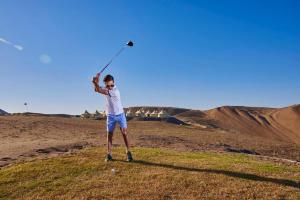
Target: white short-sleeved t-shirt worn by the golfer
[[113, 102]]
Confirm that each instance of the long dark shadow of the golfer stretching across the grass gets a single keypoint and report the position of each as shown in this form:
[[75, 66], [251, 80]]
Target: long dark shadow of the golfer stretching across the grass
[[247, 176]]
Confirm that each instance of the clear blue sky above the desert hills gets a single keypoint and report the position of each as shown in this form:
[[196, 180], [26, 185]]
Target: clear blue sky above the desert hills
[[193, 54]]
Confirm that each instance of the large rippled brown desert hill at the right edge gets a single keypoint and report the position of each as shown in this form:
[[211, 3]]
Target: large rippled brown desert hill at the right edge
[[272, 123]]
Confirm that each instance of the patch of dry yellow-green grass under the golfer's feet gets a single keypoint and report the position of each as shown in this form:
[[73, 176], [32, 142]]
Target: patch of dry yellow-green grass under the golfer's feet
[[156, 174]]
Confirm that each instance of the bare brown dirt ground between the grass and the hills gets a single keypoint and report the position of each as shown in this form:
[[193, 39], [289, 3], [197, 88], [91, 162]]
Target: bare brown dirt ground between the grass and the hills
[[26, 137]]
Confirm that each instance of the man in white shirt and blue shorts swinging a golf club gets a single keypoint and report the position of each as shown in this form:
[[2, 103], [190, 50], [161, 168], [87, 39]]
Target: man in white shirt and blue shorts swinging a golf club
[[115, 113]]
